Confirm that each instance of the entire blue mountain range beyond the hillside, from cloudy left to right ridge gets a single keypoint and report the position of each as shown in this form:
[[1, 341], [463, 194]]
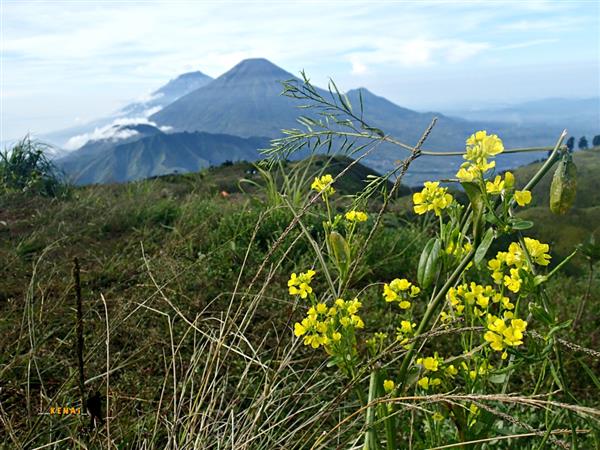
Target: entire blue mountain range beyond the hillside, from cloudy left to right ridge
[[246, 101]]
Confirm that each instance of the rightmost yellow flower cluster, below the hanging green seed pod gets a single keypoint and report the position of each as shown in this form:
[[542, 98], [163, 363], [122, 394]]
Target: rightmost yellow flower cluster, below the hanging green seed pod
[[515, 261]]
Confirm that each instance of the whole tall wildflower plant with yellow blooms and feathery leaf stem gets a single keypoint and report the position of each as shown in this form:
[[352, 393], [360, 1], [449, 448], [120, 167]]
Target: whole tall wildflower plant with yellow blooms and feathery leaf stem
[[459, 323]]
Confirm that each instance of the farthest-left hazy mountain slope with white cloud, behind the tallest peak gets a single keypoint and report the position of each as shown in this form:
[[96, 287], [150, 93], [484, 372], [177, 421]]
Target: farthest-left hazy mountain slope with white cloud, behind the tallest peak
[[75, 137]]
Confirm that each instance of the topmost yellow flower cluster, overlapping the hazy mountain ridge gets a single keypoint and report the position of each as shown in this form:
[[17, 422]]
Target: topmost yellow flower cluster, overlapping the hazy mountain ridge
[[480, 147]]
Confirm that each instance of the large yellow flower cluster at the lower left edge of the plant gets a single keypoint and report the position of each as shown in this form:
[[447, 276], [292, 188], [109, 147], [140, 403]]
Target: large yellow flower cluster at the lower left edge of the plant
[[325, 326]]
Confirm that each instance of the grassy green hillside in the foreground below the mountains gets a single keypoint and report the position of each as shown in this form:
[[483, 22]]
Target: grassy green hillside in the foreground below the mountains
[[187, 272]]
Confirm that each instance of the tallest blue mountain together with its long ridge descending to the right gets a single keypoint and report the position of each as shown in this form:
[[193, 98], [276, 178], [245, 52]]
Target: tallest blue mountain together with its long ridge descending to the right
[[247, 101]]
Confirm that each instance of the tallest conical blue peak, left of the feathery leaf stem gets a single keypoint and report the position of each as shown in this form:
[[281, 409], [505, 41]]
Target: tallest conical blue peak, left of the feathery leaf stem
[[245, 101]]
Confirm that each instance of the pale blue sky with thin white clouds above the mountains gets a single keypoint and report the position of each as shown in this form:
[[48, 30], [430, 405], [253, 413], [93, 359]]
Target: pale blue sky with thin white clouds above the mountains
[[67, 62]]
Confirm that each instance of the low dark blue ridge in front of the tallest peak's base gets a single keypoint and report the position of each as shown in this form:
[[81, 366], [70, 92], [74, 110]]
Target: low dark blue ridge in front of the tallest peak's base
[[151, 152]]
